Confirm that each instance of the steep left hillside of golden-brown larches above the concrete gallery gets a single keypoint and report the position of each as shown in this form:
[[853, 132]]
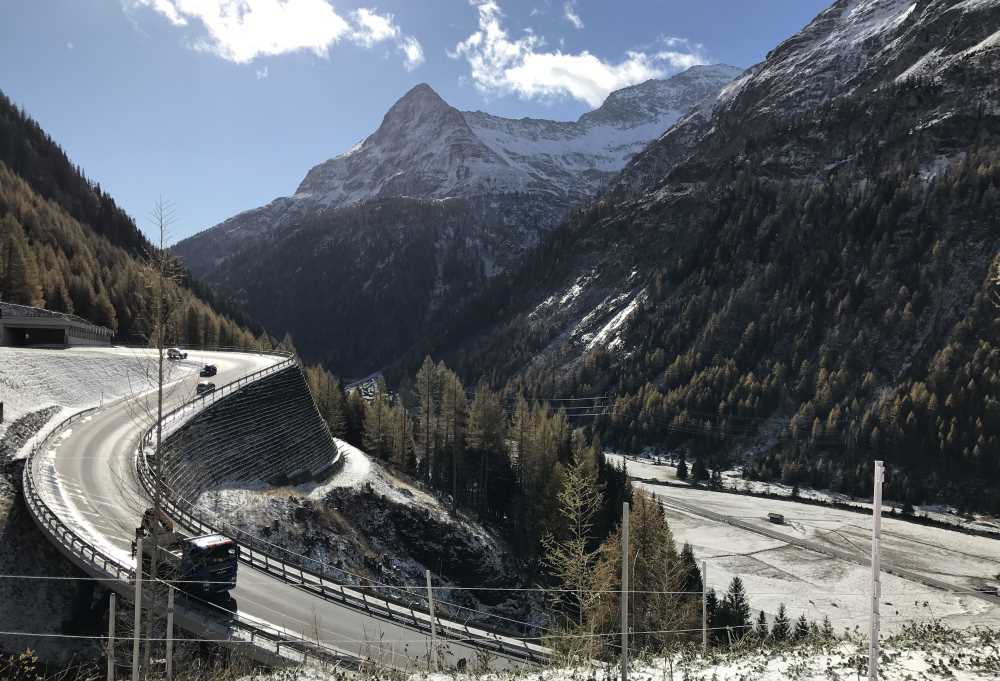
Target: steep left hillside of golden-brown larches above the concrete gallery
[[66, 245]]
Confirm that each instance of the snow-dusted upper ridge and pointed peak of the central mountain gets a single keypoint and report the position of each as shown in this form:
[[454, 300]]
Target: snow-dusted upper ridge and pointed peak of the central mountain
[[426, 149]]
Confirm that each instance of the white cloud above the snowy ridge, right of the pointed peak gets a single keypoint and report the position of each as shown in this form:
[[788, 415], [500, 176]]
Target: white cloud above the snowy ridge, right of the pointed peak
[[501, 65]]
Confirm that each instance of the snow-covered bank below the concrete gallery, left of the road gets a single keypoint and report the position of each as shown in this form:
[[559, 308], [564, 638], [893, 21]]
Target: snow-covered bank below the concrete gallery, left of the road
[[76, 379]]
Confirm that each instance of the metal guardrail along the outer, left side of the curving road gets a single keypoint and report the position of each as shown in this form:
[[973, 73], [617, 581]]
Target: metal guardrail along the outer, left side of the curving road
[[103, 565]]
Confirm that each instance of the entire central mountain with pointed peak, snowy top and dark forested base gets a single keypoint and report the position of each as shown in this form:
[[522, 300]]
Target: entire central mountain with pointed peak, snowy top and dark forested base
[[381, 268]]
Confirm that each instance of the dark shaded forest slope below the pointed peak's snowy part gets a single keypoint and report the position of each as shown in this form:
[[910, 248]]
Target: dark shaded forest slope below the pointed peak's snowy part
[[358, 284]]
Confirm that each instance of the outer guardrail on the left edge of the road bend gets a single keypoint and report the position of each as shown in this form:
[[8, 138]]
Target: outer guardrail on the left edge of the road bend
[[271, 645]]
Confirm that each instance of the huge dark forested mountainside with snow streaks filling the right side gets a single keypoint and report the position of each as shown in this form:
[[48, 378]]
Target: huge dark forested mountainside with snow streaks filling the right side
[[808, 285]]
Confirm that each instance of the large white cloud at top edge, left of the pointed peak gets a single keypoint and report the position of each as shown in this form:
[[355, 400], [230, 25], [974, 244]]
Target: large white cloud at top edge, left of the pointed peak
[[243, 30]]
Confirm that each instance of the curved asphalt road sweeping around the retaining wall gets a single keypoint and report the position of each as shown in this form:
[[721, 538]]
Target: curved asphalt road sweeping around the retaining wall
[[88, 478]]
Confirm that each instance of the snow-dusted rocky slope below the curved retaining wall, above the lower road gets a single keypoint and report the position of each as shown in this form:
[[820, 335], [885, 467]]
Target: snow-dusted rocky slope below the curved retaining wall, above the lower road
[[365, 523]]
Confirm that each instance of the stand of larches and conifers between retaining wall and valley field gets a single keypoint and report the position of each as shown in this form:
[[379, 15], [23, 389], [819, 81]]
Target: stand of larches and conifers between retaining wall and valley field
[[541, 481]]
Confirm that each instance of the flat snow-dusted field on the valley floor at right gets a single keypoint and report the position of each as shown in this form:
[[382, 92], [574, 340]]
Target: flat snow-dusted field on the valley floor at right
[[807, 580]]
